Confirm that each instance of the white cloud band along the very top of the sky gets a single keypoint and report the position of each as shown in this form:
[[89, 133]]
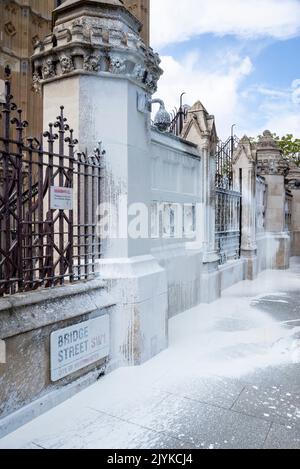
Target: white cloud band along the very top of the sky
[[174, 22]]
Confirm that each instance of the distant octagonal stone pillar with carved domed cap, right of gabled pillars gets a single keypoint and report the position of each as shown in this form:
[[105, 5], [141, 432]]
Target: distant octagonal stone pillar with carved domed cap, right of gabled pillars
[[272, 166]]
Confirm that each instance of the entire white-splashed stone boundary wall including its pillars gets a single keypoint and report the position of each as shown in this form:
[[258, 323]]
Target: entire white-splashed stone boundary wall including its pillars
[[103, 74]]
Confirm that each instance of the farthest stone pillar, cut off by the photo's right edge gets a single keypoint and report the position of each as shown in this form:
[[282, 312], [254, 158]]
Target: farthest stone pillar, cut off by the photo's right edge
[[293, 180]]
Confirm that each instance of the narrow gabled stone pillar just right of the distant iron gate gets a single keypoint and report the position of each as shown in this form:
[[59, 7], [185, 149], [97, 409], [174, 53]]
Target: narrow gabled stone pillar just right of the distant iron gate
[[244, 168]]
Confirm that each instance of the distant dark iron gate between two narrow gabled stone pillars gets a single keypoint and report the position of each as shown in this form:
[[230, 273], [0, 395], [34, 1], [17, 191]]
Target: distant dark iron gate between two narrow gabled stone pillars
[[228, 204]]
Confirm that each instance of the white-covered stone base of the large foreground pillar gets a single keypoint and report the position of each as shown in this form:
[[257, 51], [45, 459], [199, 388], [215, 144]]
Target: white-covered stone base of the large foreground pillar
[[140, 318]]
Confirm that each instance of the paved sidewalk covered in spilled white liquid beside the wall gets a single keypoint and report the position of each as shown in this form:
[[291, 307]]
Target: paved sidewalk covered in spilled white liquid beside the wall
[[230, 379]]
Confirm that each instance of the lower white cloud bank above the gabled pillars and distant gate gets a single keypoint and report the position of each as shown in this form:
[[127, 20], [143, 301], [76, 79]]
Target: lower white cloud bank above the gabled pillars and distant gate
[[222, 91]]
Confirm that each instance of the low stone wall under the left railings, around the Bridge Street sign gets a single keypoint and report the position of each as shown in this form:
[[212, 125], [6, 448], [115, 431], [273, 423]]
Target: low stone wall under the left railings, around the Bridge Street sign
[[26, 323]]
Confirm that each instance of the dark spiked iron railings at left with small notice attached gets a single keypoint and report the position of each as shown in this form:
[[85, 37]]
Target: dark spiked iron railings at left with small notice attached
[[43, 244]]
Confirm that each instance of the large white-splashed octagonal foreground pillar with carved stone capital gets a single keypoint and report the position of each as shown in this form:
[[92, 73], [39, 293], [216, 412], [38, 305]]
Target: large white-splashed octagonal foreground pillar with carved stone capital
[[98, 67]]
